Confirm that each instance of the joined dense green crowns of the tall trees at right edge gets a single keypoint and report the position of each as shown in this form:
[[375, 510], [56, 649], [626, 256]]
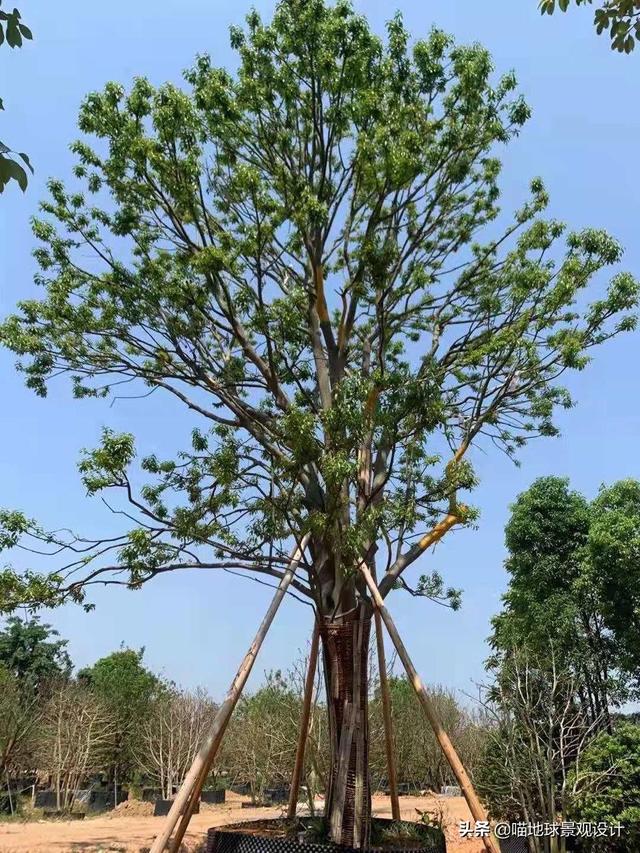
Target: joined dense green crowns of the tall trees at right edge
[[573, 581]]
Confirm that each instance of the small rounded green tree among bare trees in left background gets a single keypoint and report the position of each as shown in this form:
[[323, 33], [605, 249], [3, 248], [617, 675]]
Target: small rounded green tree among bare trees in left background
[[126, 688]]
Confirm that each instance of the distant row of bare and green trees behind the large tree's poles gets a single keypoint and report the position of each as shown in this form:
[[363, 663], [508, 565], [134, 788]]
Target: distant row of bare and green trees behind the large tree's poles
[[118, 724]]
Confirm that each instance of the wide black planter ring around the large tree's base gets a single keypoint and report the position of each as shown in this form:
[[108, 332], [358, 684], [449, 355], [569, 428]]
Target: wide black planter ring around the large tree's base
[[238, 838]]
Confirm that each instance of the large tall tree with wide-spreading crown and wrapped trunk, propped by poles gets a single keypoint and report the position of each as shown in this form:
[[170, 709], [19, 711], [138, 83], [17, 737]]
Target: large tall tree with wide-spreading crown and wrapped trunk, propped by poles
[[306, 254]]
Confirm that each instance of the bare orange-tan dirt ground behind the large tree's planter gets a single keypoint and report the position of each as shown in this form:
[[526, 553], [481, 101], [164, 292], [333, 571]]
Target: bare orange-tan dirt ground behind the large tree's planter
[[127, 832]]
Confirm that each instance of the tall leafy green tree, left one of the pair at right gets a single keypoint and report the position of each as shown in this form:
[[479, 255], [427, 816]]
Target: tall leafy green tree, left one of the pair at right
[[551, 597]]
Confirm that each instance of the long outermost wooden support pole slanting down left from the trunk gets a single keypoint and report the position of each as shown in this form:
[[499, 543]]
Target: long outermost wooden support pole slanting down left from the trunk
[[190, 790]]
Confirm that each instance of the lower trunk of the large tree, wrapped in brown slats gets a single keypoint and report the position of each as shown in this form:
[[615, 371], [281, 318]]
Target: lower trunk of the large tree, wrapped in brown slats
[[346, 657]]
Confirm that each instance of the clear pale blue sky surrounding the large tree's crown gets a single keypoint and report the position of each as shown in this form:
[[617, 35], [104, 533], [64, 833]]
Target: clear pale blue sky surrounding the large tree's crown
[[582, 139]]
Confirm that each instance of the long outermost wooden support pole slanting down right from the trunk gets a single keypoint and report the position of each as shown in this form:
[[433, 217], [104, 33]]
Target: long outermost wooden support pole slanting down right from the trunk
[[475, 806]]
